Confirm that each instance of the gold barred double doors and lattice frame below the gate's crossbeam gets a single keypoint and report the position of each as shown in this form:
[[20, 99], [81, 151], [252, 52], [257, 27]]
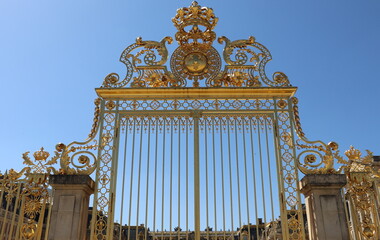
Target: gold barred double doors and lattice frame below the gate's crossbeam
[[179, 166]]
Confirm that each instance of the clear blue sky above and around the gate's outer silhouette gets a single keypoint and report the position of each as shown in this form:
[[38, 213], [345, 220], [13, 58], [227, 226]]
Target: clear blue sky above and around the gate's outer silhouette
[[54, 53]]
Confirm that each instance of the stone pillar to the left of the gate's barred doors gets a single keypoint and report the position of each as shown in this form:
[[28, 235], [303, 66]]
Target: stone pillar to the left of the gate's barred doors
[[70, 206]]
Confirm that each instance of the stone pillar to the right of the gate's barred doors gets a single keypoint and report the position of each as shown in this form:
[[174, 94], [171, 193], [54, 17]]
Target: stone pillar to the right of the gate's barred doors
[[325, 206]]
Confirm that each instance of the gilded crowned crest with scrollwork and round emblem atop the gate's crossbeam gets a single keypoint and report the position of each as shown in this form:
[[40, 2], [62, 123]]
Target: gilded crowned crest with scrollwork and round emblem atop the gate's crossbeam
[[195, 58]]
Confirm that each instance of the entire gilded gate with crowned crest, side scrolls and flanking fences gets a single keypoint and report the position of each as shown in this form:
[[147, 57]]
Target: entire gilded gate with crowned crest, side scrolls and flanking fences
[[208, 149]]
